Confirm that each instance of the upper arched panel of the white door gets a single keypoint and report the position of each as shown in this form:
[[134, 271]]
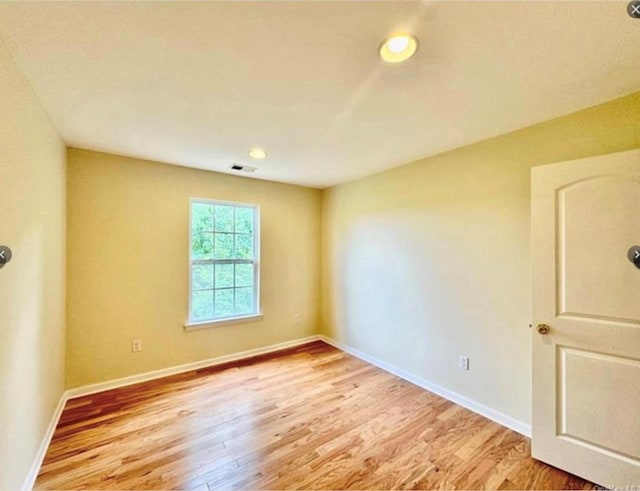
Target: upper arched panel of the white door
[[595, 223]]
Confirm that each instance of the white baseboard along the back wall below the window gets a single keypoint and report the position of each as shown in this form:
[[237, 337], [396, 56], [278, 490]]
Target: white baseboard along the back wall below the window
[[187, 367]]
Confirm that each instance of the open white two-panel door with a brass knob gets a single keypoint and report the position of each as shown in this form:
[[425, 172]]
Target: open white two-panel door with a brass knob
[[586, 290]]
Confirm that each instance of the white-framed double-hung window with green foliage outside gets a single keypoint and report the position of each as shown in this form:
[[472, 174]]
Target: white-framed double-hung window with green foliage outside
[[224, 262]]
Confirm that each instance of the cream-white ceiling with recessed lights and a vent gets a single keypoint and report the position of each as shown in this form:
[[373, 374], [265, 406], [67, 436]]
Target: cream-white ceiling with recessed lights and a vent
[[199, 83]]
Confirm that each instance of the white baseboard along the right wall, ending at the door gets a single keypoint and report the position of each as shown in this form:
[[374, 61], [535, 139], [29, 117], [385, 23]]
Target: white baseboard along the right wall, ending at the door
[[476, 407]]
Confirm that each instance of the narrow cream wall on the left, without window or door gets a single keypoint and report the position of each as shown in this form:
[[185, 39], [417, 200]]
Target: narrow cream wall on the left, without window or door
[[32, 207]]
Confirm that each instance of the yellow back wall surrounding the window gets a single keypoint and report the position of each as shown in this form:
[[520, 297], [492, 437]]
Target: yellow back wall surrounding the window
[[128, 224]]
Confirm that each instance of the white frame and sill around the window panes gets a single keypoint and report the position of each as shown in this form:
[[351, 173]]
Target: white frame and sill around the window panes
[[233, 319]]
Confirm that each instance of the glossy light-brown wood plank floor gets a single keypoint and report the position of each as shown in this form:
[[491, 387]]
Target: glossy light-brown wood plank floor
[[311, 417]]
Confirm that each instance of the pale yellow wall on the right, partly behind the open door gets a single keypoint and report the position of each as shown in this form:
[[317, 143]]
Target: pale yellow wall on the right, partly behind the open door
[[431, 260]]
